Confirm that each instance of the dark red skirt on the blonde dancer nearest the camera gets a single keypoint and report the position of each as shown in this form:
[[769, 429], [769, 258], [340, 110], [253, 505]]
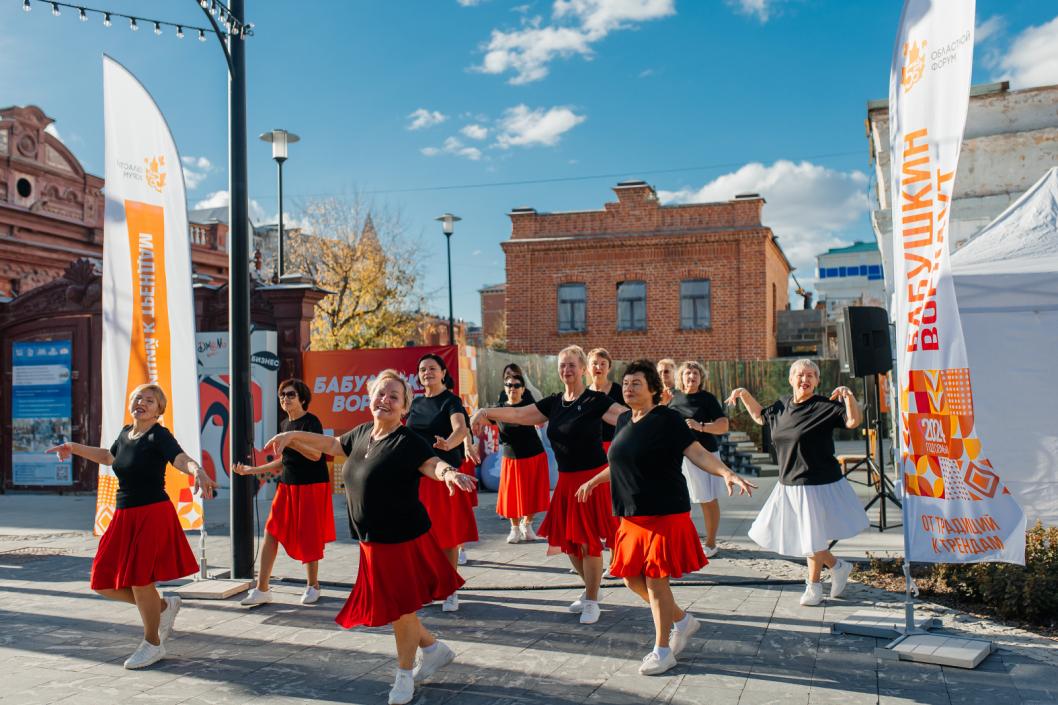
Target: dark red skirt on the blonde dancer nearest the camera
[[396, 580]]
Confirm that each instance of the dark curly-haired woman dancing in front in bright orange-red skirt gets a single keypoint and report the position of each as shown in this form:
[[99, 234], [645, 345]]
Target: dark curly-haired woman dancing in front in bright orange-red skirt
[[656, 540]]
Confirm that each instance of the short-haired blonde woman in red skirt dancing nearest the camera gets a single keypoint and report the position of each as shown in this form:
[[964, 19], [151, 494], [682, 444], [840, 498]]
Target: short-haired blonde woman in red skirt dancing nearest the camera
[[402, 566]]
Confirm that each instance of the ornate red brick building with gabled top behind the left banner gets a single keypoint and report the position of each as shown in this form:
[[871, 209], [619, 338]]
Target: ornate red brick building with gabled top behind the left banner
[[51, 210]]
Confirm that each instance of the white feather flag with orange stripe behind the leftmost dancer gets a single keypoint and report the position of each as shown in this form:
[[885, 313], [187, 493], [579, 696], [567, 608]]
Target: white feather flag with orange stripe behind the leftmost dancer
[[149, 313]]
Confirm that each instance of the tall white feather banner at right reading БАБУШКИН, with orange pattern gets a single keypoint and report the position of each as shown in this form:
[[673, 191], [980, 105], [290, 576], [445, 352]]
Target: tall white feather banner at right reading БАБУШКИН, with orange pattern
[[957, 508]]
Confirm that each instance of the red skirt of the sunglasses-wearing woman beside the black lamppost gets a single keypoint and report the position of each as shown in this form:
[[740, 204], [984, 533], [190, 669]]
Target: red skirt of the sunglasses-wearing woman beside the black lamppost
[[303, 520]]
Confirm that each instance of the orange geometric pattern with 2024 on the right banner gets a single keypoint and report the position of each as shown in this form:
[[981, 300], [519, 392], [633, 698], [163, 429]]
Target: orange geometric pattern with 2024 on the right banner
[[941, 450]]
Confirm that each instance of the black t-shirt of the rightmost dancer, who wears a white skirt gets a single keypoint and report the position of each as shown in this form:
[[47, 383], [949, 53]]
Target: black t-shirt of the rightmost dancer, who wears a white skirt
[[804, 436]]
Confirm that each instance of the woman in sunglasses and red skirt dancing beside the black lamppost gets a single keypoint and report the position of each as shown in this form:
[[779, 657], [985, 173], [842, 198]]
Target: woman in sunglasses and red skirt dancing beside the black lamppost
[[302, 519]]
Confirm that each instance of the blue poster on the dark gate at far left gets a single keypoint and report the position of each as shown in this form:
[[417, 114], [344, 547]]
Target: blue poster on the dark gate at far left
[[42, 409]]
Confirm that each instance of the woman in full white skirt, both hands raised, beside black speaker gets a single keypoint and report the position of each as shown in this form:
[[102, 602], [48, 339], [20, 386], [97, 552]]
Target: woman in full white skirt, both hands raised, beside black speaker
[[812, 504]]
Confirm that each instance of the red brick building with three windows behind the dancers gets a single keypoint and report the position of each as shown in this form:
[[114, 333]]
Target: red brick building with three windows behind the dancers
[[703, 281]]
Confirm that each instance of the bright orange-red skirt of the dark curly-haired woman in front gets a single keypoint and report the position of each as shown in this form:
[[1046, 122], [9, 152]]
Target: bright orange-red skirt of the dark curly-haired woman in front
[[665, 547]]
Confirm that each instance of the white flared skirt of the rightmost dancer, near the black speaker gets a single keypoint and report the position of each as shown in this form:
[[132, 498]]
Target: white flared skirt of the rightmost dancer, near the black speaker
[[801, 520]]
